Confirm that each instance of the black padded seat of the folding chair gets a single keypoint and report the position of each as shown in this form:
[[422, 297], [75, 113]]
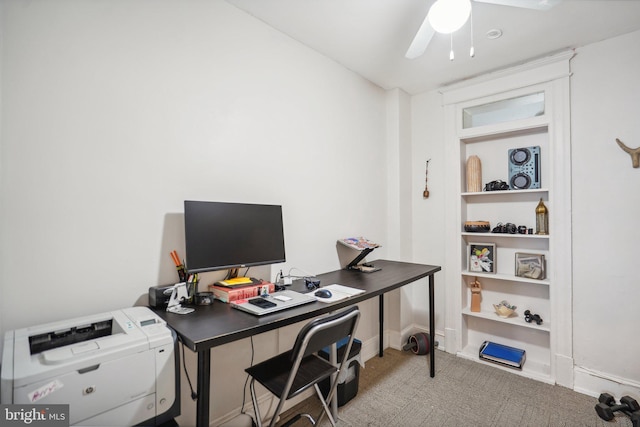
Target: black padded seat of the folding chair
[[273, 373]]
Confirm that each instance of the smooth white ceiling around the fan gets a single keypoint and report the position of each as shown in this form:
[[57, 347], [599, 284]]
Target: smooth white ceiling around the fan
[[370, 37]]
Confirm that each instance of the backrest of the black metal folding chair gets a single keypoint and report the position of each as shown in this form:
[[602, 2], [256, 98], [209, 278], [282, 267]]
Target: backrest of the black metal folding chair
[[325, 331]]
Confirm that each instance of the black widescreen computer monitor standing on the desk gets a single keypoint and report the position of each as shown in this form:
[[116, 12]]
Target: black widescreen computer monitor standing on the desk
[[220, 235]]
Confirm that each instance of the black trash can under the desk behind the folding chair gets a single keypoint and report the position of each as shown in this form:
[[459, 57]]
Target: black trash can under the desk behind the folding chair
[[348, 383]]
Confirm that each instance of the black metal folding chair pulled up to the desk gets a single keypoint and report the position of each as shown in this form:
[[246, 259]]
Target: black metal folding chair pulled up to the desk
[[294, 371]]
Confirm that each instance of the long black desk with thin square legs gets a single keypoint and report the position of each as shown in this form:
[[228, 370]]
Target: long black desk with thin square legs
[[217, 324]]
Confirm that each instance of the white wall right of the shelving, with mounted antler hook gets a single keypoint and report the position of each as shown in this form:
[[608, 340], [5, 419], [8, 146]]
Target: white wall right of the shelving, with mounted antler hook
[[605, 94]]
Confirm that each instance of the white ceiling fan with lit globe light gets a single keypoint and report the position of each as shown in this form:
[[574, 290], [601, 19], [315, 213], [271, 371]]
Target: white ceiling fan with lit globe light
[[454, 14]]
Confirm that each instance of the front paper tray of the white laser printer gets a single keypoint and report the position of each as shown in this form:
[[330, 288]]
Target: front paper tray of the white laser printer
[[99, 389]]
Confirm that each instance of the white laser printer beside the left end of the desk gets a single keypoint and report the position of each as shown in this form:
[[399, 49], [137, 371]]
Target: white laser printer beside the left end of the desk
[[117, 368]]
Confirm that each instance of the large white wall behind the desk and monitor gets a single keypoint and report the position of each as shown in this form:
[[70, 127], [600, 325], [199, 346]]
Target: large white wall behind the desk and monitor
[[113, 113]]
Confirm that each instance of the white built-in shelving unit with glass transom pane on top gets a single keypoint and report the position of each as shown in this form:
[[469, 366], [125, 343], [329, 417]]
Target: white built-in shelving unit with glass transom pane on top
[[487, 120]]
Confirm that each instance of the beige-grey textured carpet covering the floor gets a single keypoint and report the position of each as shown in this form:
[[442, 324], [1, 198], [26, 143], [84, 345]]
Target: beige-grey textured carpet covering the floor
[[396, 390]]
